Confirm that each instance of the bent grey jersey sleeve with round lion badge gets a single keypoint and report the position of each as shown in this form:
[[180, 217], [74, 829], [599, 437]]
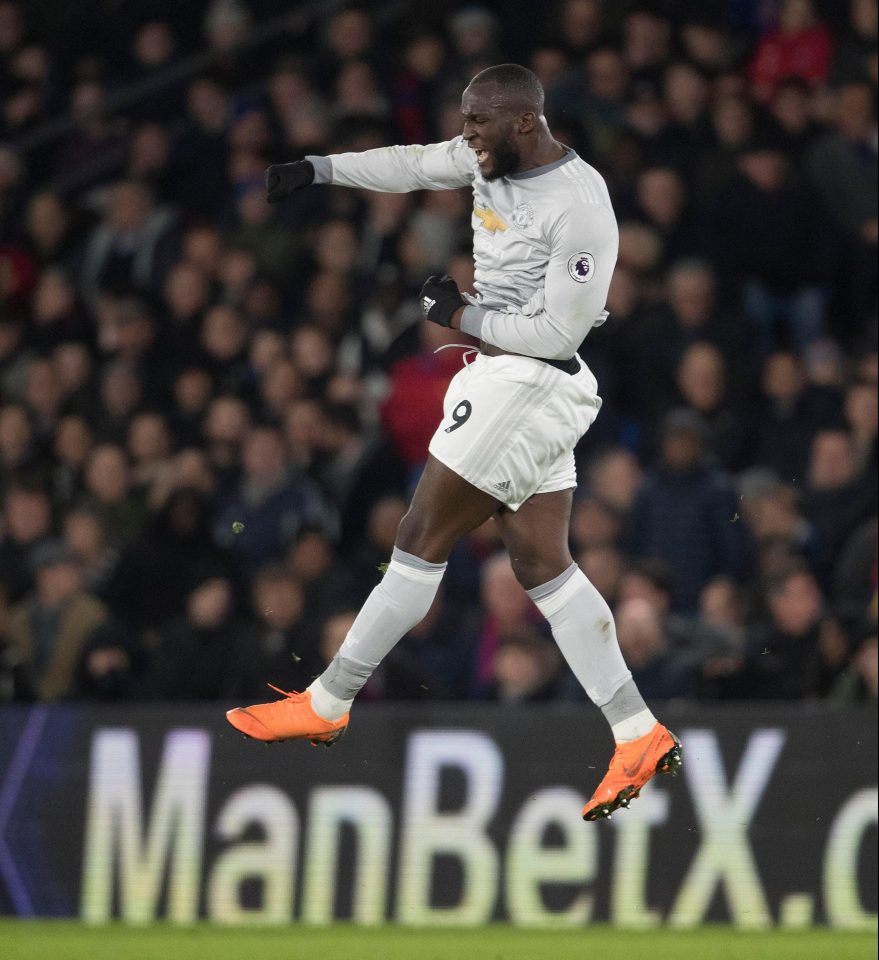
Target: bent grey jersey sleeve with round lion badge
[[583, 252]]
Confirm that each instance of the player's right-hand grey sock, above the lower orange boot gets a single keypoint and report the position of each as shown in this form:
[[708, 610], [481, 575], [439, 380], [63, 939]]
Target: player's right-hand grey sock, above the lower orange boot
[[583, 627]]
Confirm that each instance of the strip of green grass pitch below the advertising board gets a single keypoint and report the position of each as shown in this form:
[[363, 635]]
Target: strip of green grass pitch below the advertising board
[[35, 940]]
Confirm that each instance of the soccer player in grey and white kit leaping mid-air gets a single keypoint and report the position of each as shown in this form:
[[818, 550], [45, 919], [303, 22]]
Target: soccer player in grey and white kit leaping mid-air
[[545, 244]]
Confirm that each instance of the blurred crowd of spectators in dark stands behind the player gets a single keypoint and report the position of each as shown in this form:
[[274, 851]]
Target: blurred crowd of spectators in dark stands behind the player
[[212, 411]]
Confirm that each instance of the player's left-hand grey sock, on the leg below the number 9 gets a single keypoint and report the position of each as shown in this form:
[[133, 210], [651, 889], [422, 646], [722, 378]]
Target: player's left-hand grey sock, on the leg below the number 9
[[393, 608]]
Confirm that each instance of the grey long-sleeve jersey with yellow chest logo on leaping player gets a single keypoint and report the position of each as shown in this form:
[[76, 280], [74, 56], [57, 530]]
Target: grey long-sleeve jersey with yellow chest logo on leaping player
[[544, 241]]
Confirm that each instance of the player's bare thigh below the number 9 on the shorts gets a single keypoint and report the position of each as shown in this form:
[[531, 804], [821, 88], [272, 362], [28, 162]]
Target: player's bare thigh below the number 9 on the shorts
[[444, 508]]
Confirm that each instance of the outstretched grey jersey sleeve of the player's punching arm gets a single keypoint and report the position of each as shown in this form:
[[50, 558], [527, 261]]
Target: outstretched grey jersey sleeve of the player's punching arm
[[434, 166]]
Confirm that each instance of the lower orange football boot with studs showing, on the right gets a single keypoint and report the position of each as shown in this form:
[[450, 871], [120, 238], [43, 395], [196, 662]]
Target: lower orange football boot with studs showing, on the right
[[632, 765]]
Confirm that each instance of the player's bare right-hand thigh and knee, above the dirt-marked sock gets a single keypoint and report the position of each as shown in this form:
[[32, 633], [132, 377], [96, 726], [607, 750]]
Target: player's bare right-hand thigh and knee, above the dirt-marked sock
[[536, 536]]
